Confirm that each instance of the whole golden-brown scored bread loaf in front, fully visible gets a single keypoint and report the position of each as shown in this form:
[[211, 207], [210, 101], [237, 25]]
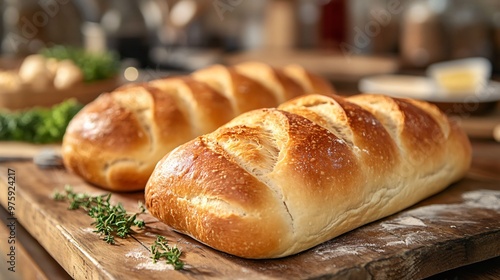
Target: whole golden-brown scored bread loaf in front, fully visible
[[275, 182]]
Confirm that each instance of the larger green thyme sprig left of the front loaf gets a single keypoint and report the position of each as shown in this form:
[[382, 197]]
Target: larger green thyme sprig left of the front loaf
[[109, 220]]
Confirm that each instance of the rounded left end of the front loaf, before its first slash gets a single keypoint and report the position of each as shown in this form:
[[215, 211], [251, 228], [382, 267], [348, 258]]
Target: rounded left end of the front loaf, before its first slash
[[195, 184]]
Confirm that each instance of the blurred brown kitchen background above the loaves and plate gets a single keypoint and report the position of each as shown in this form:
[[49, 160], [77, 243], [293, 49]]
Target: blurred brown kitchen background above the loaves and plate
[[340, 39]]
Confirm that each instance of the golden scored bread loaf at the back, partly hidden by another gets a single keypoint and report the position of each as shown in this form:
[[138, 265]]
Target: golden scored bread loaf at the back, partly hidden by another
[[116, 141]]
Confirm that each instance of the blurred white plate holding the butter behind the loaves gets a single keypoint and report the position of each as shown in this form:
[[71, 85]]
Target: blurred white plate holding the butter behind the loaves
[[423, 88]]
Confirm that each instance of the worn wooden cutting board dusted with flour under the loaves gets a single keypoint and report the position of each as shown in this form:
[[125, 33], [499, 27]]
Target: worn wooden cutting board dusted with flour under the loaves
[[459, 226]]
